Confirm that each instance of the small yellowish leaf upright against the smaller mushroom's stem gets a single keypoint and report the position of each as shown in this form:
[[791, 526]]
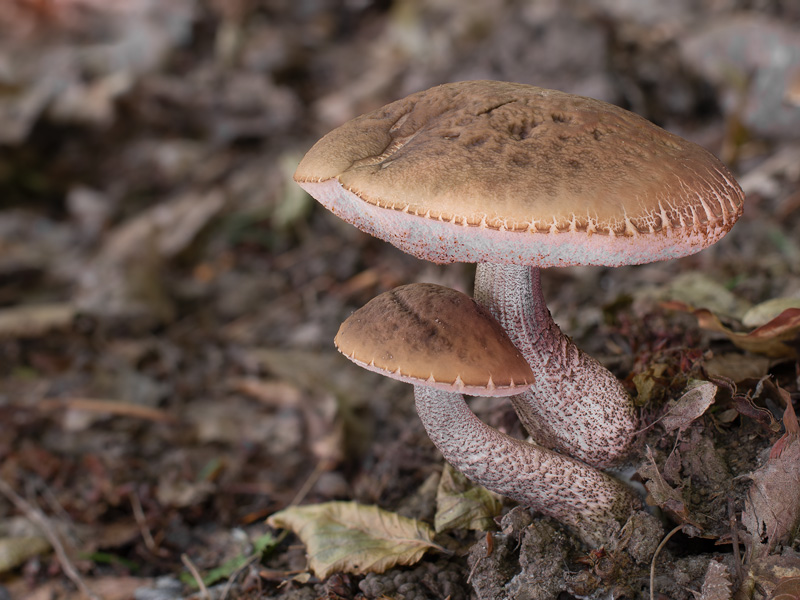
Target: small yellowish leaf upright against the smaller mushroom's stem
[[461, 504]]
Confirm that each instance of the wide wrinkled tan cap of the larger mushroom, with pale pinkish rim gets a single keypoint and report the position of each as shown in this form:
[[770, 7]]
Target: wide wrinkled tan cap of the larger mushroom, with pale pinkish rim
[[486, 171]]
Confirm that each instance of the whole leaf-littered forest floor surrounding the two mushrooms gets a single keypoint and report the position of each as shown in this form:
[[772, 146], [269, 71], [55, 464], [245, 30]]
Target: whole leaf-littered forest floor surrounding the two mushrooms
[[169, 297]]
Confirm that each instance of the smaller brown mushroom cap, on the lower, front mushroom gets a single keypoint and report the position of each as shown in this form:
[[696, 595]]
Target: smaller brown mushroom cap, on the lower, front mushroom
[[431, 335]]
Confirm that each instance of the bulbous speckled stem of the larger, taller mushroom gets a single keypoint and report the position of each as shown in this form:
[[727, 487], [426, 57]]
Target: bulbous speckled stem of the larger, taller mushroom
[[576, 406]]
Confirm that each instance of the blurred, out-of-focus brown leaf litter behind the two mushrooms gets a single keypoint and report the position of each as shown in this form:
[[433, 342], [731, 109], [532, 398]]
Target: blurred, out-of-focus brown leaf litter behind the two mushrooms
[[168, 296]]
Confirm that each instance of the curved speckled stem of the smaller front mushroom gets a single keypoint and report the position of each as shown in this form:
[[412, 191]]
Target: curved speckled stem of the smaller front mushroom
[[591, 503]]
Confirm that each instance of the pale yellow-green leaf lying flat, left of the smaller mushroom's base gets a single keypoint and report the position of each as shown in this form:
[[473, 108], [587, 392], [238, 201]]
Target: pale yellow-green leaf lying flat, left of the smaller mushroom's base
[[355, 538]]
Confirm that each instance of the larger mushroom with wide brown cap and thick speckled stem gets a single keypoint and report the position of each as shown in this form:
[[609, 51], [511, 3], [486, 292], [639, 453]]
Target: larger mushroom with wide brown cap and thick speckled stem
[[518, 178]]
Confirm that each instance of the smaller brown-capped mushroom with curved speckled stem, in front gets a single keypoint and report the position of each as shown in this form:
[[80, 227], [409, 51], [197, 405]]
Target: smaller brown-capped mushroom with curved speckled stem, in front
[[446, 344]]
